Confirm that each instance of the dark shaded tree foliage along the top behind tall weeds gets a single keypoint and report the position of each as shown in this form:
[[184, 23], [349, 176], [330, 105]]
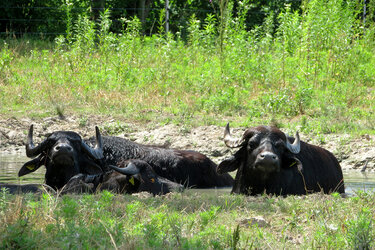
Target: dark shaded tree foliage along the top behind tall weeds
[[55, 17]]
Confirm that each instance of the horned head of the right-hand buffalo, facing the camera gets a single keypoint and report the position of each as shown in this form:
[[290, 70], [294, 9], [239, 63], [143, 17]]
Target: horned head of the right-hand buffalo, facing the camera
[[263, 151]]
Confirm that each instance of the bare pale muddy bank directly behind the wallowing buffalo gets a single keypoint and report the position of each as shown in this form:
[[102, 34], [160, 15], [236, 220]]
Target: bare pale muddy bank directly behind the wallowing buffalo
[[353, 153]]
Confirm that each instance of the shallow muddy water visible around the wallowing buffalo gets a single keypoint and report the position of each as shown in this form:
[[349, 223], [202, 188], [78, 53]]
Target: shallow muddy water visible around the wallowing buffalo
[[10, 165]]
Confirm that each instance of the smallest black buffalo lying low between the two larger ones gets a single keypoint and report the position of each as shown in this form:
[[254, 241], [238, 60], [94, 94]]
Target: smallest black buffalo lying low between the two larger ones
[[131, 176]]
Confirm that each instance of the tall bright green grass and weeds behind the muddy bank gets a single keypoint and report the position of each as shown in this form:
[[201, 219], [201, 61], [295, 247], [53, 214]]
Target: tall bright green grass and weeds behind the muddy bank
[[314, 68]]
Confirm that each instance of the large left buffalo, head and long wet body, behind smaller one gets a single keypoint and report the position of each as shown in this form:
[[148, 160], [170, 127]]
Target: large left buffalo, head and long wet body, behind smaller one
[[65, 155]]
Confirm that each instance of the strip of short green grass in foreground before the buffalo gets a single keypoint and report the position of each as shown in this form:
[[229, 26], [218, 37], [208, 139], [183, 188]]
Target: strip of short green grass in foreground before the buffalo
[[187, 220]]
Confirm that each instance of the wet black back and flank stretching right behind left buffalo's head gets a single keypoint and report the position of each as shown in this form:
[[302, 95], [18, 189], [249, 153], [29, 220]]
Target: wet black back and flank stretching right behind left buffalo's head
[[190, 168]]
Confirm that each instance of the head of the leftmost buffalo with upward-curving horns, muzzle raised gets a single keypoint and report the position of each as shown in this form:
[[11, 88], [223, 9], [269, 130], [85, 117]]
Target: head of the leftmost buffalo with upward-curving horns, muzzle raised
[[64, 154]]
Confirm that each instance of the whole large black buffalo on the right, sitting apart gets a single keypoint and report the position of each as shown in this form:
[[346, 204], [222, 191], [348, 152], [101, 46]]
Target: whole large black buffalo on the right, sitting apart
[[268, 162]]
